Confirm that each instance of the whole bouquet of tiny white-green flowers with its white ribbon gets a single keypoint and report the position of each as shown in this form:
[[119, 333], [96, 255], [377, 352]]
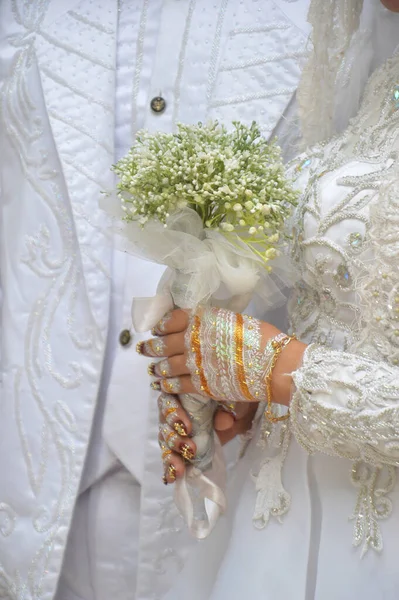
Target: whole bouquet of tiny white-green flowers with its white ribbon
[[211, 204]]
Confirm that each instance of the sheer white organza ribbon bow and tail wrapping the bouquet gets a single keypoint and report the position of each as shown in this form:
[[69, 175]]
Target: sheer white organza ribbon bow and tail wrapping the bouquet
[[204, 268]]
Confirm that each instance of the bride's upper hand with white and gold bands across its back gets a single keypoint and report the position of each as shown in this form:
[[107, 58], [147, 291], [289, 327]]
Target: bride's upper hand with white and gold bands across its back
[[219, 354]]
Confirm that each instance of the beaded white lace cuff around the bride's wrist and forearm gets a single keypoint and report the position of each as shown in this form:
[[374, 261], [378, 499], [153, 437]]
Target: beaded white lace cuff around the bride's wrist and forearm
[[347, 405]]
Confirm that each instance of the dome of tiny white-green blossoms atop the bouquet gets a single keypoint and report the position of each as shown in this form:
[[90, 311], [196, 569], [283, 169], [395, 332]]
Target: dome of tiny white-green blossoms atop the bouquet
[[230, 178]]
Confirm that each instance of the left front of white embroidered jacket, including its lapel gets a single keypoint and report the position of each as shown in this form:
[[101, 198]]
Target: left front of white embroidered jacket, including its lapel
[[56, 97]]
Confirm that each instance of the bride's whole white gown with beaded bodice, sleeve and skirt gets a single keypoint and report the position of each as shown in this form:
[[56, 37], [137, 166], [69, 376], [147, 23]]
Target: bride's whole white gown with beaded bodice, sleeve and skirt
[[345, 306]]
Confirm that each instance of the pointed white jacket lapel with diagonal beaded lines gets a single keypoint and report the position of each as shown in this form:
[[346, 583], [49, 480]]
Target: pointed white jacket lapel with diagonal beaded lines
[[76, 56]]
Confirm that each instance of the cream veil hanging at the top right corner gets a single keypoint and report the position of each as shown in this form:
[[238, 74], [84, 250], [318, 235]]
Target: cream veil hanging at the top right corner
[[350, 39]]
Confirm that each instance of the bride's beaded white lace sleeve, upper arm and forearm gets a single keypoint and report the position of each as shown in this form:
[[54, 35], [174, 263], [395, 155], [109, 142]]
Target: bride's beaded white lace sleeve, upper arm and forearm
[[347, 403]]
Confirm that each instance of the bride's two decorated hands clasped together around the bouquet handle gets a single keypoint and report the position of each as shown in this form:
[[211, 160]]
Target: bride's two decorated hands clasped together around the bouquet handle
[[221, 355]]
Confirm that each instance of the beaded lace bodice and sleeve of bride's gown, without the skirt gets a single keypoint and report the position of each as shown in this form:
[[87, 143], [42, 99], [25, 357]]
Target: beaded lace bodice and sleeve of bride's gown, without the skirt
[[347, 298]]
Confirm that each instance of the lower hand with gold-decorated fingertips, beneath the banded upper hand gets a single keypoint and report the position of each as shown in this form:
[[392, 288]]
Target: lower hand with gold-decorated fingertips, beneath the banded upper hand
[[175, 429]]
